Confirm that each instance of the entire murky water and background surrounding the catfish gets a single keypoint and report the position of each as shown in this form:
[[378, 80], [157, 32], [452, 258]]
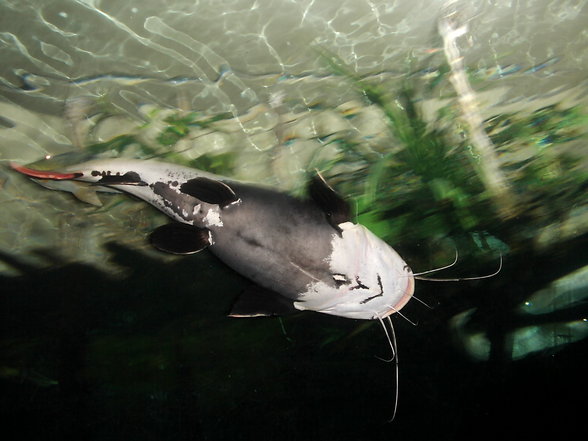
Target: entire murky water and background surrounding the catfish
[[449, 126]]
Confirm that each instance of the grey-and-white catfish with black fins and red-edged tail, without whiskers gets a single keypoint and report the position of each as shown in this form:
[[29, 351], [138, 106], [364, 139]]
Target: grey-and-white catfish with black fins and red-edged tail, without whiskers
[[302, 254]]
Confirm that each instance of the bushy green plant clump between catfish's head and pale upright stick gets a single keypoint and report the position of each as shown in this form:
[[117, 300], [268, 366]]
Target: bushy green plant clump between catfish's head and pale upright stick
[[424, 171]]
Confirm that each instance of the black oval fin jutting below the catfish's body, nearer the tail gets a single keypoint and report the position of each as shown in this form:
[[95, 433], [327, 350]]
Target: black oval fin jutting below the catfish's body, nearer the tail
[[177, 238]]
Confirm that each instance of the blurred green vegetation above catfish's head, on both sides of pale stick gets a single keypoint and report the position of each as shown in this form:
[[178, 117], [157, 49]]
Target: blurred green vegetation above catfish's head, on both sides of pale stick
[[428, 185]]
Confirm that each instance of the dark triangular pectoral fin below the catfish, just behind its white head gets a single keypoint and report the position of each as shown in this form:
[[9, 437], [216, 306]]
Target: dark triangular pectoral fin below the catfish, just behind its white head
[[256, 301]]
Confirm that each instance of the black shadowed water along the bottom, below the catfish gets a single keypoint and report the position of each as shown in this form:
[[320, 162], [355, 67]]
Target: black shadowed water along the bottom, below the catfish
[[151, 355]]
